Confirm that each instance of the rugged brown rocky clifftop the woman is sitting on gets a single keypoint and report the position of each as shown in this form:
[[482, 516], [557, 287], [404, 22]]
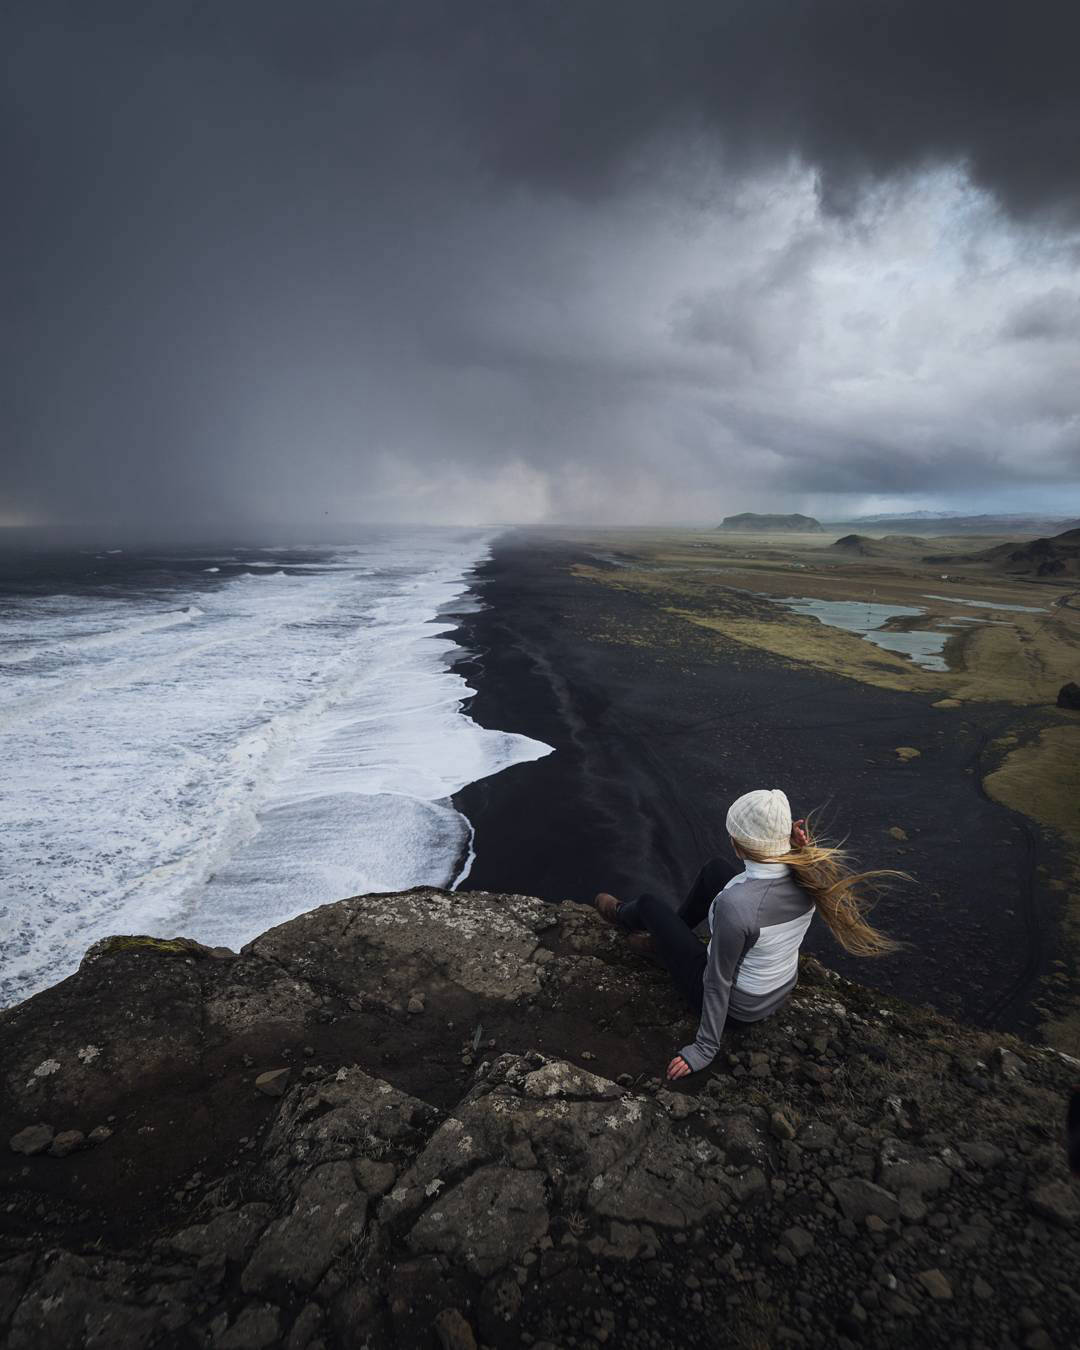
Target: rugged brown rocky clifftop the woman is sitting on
[[435, 1120]]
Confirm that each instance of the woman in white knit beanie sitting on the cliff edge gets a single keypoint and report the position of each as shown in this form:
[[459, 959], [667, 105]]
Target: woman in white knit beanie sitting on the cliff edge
[[758, 920]]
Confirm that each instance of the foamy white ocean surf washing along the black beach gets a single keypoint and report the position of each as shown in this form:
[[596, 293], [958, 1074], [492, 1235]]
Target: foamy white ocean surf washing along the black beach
[[210, 742]]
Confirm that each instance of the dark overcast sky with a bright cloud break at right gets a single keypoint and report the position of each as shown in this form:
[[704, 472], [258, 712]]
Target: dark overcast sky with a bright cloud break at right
[[514, 261]]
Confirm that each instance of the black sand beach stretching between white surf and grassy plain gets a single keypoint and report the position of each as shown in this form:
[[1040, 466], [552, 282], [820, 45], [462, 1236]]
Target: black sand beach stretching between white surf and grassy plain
[[655, 736]]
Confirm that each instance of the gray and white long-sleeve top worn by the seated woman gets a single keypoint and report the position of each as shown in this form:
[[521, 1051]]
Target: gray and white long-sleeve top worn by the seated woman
[[758, 924]]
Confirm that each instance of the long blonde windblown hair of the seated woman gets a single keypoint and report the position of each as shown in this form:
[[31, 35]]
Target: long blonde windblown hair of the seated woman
[[839, 893]]
